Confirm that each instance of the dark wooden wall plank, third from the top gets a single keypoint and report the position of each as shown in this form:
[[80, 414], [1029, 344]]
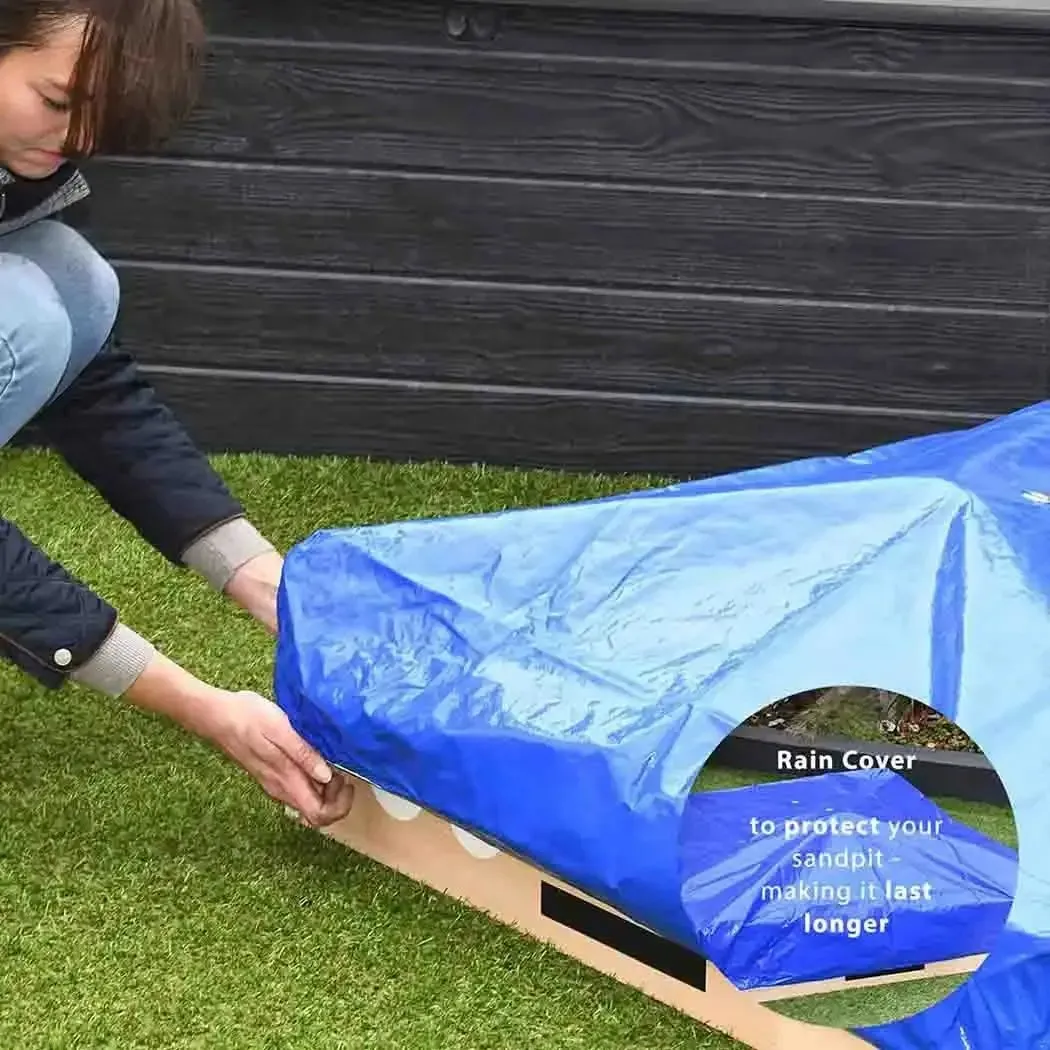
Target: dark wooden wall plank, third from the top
[[570, 234]]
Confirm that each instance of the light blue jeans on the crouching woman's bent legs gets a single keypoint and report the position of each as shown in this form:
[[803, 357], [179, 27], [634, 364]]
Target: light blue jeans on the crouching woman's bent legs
[[59, 300]]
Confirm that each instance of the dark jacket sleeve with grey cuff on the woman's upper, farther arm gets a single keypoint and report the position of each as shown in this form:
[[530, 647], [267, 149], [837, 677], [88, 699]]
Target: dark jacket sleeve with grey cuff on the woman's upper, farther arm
[[116, 434]]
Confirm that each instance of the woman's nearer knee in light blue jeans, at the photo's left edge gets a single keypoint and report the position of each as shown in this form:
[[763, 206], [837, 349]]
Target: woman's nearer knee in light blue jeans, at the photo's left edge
[[36, 342]]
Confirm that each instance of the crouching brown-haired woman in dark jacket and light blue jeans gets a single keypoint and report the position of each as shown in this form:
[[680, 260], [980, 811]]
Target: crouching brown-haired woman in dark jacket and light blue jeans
[[78, 77]]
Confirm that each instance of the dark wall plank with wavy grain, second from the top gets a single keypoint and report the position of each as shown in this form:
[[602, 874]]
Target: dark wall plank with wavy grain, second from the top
[[514, 118]]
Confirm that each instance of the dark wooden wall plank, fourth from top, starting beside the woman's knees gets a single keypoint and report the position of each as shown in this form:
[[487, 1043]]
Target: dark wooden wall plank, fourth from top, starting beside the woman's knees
[[578, 339]]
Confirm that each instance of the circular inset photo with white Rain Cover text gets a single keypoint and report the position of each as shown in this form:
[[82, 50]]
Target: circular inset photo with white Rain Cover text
[[849, 857]]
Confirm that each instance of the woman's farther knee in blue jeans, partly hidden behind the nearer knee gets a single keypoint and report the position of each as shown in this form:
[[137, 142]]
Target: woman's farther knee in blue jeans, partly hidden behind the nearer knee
[[86, 281]]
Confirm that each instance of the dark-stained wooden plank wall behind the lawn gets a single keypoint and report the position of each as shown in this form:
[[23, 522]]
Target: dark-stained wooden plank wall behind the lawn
[[624, 241]]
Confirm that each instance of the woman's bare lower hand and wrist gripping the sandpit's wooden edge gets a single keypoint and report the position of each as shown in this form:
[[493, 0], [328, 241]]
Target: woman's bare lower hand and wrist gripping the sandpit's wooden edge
[[255, 733]]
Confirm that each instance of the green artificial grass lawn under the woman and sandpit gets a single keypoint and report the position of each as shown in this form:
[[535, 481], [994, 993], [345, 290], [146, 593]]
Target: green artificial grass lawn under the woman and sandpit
[[153, 897]]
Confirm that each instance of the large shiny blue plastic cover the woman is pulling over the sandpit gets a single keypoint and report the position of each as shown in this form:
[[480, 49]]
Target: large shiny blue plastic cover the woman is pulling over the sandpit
[[556, 678]]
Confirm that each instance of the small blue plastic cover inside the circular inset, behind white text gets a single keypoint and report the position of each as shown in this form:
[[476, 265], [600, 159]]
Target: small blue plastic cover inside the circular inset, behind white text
[[843, 875]]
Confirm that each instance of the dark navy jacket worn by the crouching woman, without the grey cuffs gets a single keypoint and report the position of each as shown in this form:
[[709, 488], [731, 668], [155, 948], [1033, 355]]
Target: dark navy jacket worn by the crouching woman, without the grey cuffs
[[115, 433]]
